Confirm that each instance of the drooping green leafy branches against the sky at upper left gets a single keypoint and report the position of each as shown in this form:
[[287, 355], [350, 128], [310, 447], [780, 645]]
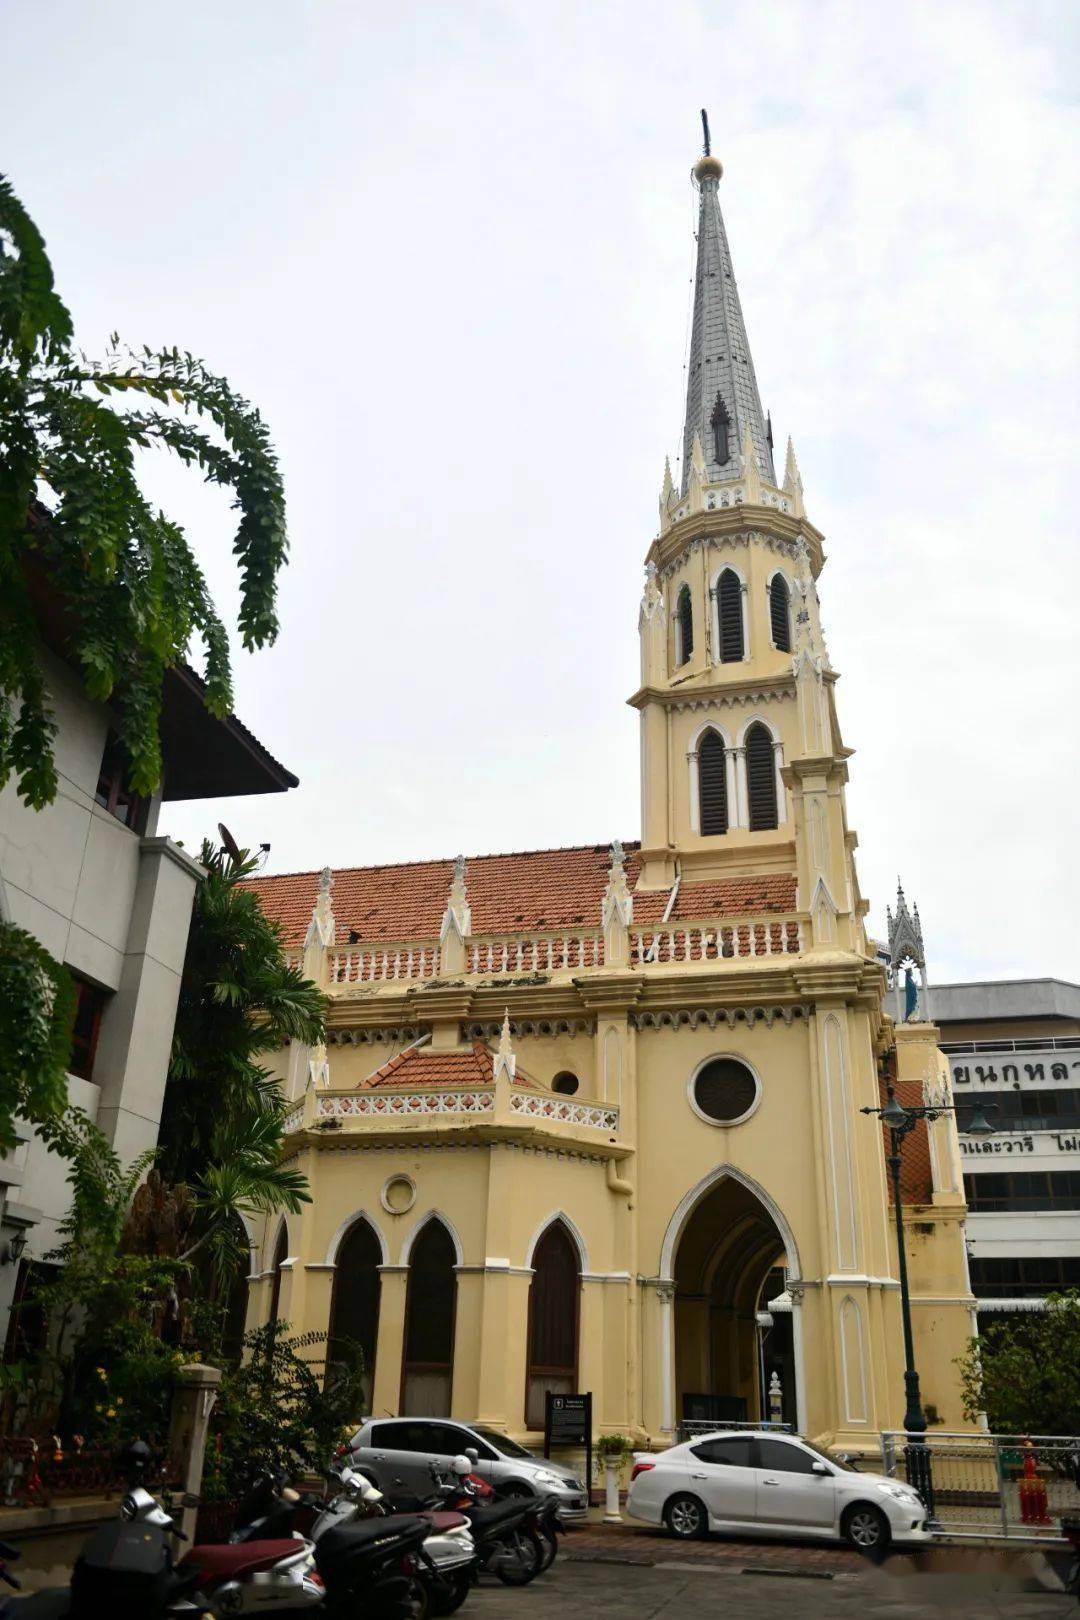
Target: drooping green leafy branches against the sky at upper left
[[124, 578]]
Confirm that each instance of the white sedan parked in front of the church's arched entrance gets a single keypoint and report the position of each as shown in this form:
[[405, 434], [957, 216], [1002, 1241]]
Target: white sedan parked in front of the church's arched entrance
[[772, 1485]]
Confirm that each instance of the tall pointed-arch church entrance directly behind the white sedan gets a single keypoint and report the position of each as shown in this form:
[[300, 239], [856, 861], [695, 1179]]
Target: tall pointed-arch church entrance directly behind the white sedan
[[729, 1260]]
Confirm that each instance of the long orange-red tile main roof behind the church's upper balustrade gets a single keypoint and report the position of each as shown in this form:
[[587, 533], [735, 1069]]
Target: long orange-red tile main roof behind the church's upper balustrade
[[538, 889]]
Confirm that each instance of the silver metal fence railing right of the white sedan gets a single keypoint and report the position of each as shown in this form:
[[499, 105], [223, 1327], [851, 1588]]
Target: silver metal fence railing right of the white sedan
[[990, 1485]]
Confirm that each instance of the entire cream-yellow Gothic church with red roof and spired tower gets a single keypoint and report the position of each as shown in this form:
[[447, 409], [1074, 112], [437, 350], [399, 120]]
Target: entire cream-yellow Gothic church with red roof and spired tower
[[592, 1119]]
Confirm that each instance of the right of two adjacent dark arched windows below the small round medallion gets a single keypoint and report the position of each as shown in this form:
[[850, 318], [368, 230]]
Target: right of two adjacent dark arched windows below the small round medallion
[[430, 1311]]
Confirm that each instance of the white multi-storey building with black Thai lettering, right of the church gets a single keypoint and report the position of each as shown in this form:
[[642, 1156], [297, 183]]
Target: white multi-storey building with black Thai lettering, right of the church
[[1016, 1046]]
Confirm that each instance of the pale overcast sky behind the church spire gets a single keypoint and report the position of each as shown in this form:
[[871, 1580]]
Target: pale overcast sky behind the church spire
[[448, 252]]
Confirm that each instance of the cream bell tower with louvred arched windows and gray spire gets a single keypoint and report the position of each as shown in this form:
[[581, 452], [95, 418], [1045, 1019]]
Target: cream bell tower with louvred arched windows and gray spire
[[742, 762]]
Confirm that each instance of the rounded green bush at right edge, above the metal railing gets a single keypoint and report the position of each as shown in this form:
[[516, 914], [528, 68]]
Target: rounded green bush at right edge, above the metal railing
[[1026, 1373]]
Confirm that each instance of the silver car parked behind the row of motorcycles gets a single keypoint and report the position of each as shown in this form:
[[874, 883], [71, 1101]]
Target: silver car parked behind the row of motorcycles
[[398, 1456]]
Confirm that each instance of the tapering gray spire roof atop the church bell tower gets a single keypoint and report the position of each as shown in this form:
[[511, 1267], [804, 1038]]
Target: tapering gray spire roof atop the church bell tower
[[721, 369]]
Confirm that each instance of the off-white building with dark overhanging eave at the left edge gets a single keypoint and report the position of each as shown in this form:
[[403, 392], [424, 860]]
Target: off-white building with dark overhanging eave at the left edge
[[111, 898]]
